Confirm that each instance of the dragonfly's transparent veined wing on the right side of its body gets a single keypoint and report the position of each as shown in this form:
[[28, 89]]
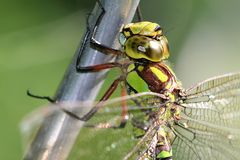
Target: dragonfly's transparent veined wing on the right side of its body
[[210, 124]]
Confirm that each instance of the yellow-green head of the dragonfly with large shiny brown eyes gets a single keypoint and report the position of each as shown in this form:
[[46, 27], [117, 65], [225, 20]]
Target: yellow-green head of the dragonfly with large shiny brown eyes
[[144, 40]]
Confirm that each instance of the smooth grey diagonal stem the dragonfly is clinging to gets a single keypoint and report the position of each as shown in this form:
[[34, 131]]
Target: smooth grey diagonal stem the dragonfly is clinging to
[[59, 131]]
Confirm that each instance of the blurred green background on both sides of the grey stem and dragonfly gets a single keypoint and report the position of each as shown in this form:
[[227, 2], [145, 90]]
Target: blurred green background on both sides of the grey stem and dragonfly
[[39, 38]]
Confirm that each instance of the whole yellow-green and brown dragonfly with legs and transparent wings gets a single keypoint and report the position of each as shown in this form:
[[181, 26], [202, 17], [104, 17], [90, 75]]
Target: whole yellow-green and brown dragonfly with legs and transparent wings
[[168, 122]]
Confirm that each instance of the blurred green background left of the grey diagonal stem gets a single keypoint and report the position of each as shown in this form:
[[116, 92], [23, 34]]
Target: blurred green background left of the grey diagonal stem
[[37, 41]]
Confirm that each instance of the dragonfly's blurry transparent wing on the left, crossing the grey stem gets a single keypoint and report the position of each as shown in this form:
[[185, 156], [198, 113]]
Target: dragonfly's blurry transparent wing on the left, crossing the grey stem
[[97, 140]]
